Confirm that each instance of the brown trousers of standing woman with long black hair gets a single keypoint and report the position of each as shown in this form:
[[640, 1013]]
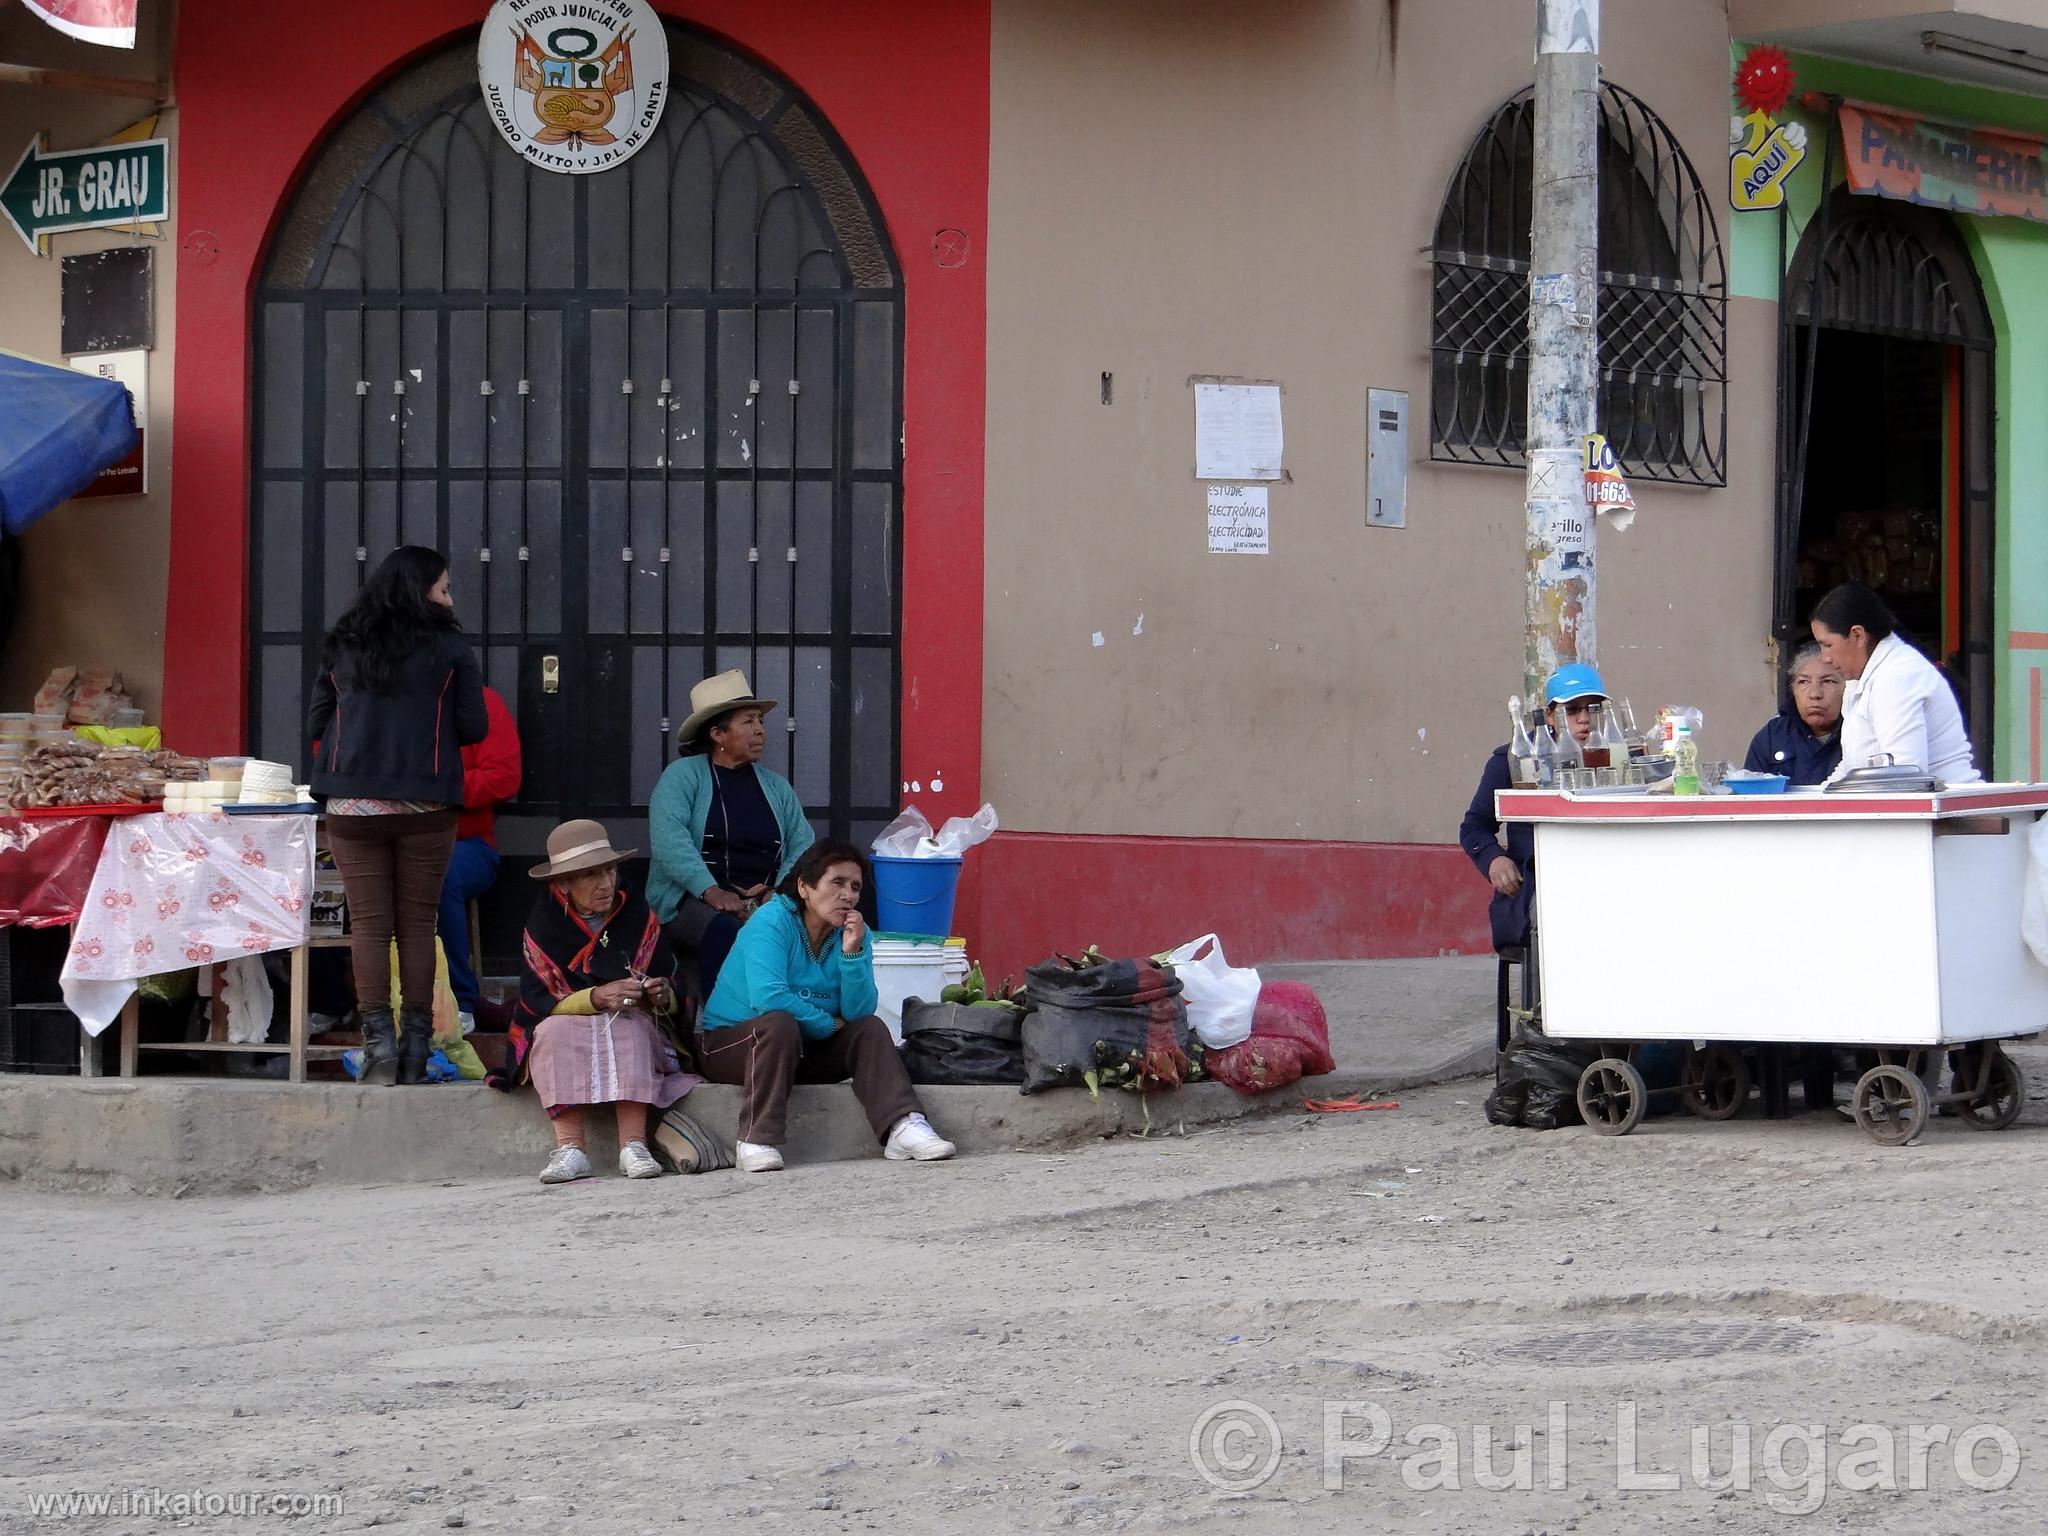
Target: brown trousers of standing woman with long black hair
[[392, 869]]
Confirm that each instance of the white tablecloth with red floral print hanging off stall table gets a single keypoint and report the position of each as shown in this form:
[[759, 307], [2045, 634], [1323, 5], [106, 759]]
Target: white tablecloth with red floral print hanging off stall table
[[175, 892]]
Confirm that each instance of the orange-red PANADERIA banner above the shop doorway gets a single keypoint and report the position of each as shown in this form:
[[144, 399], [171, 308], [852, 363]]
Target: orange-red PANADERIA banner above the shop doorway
[[1940, 165]]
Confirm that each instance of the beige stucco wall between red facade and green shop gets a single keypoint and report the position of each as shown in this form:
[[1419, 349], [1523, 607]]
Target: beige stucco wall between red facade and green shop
[[1201, 187]]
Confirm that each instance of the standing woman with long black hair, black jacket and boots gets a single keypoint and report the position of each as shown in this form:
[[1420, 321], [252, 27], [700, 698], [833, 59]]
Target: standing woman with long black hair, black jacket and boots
[[398, 699]]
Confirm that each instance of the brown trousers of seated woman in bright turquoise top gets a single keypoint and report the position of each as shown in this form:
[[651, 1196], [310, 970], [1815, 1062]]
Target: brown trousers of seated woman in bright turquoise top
[[769, 1054]]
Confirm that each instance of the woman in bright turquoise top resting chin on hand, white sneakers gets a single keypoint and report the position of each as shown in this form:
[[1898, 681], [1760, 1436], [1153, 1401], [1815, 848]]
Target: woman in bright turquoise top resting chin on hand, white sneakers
[[796, 1005]]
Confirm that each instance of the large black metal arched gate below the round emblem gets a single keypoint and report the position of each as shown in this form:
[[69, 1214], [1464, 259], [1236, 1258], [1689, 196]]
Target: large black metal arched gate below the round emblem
[[652, 415]]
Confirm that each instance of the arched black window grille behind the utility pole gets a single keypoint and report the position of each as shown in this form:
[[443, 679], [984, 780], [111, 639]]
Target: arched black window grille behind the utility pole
[[1664, 300]]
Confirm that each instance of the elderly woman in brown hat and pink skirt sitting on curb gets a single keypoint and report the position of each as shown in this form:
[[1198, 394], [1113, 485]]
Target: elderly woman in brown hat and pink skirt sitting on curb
[[595, 1011]]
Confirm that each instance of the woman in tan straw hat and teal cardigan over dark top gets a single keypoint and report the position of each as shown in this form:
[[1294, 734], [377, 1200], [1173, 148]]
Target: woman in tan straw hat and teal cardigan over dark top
[[726, 830]]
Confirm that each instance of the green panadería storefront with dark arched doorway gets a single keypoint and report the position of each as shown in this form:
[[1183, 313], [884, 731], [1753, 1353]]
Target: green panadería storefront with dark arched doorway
[[1910, 443]]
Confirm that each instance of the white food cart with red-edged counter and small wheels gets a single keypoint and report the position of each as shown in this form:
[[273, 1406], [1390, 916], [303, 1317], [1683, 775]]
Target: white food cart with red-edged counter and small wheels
[[1883, 921]]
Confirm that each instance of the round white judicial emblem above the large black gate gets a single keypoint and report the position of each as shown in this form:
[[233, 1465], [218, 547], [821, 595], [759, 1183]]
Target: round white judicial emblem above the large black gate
[[574, 85]]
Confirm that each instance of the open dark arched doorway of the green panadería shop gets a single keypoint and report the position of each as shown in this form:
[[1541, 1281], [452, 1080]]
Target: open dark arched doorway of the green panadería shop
[[1885, 429]]
